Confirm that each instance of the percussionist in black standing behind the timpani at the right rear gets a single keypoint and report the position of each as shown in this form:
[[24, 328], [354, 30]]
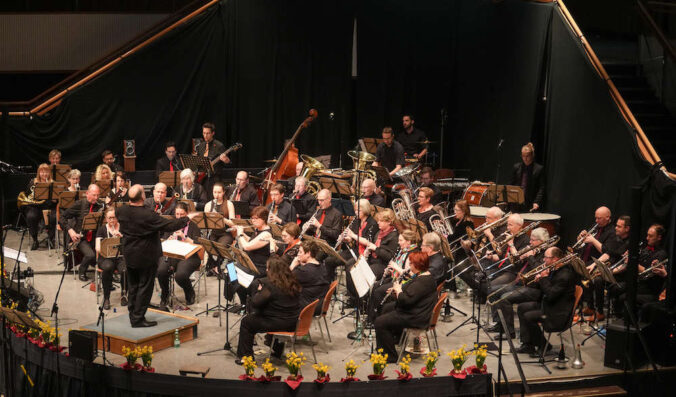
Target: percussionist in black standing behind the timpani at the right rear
[[530, 176]]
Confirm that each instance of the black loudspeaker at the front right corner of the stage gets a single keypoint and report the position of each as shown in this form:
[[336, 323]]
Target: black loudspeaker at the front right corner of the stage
[[618, 347]]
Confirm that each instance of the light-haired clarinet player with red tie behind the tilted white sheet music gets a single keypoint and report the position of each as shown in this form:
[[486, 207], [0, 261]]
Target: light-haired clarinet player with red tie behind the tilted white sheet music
[[361, 231]]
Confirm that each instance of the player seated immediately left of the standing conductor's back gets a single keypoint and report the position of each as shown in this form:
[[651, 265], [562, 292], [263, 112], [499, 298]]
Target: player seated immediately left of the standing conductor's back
[[108, 266]]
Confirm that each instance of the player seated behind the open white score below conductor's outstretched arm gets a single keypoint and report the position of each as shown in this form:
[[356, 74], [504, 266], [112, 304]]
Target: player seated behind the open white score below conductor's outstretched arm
[[181, 268]]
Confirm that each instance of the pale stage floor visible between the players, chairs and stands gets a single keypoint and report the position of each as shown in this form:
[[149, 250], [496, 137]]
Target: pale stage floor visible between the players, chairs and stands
[[78, 308]]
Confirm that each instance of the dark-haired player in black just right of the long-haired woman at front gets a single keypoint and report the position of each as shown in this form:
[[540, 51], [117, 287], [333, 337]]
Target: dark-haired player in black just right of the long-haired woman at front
[[310, 274]]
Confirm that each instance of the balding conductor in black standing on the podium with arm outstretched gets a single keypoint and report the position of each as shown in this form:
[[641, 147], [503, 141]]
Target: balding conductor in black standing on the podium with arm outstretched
[[141, 247]]
